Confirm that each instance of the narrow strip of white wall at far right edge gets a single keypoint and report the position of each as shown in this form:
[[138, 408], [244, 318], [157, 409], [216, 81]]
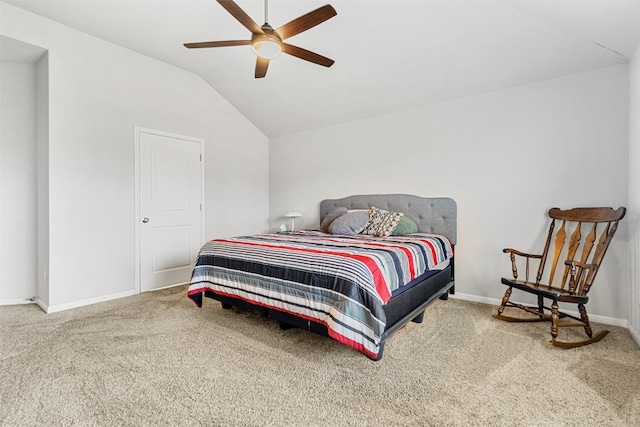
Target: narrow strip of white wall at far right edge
[[634, 194]]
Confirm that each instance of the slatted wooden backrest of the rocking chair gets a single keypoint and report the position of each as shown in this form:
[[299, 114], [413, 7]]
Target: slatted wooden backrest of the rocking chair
[[590, 231]]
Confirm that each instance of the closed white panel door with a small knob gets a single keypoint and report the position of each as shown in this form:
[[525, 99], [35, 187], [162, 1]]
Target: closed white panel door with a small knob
[[170, 207]]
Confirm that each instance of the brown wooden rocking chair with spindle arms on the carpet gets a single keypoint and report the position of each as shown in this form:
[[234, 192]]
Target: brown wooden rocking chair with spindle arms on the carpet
[[582, 262]]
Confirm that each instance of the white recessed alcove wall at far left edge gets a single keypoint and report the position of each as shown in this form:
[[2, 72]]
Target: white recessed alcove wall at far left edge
[[18, 182]]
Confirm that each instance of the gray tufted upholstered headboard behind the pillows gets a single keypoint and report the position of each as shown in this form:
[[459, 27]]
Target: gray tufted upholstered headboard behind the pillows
[[433, 215]]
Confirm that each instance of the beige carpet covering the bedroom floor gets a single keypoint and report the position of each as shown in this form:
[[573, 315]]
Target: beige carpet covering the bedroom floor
[[157, 360]]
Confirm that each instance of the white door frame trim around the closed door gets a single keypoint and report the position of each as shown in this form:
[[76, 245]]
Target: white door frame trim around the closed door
[[138, 130]]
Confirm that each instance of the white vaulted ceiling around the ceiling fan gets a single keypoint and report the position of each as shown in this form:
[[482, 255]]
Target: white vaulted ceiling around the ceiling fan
[[390, 55]]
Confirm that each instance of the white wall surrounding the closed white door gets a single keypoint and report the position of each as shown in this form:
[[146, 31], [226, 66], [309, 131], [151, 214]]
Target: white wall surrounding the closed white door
[[97, 93]]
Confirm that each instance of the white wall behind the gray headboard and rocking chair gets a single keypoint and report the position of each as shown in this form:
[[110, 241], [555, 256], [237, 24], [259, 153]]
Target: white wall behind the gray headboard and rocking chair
[[506, 157]]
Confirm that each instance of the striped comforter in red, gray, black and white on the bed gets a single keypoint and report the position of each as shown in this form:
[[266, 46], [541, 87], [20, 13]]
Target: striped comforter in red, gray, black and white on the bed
[[339, 281]]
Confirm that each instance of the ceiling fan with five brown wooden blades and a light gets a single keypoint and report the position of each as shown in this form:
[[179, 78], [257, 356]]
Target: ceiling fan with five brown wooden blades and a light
[[266, 42]]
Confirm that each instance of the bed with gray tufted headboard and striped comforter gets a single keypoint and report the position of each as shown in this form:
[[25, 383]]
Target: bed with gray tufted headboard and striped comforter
[[358, 289]]
